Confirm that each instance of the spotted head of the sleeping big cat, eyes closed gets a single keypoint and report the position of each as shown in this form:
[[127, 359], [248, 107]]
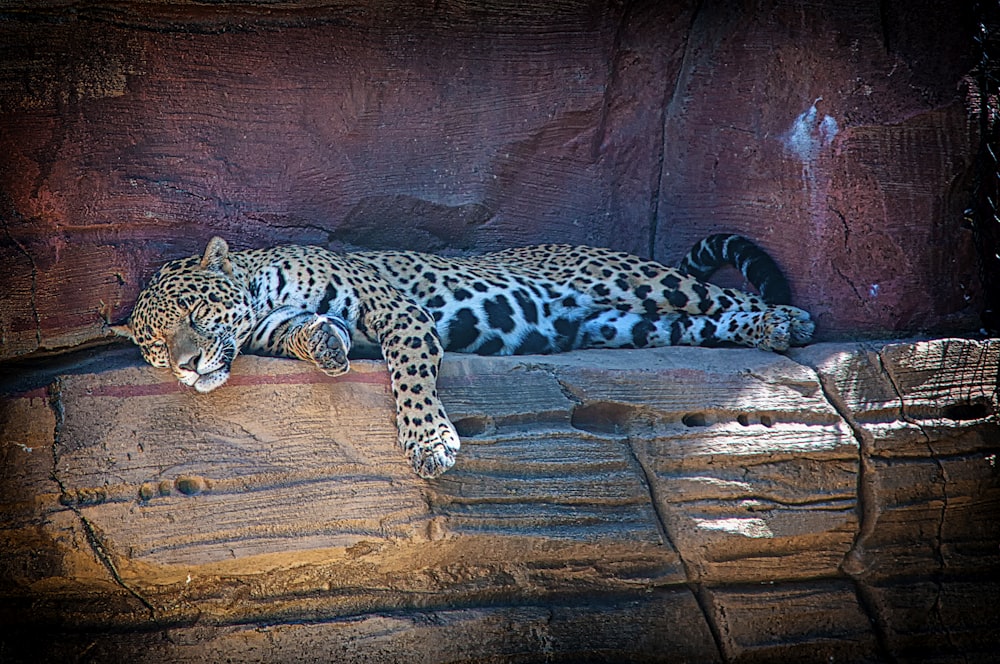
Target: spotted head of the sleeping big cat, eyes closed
[[192, 318]]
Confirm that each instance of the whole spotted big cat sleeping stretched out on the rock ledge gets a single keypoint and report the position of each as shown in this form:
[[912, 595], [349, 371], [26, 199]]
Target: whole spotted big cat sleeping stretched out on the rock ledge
[[316, 305]]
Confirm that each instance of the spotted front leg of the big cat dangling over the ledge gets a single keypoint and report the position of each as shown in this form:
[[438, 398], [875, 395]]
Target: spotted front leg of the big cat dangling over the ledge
[[412, 350]]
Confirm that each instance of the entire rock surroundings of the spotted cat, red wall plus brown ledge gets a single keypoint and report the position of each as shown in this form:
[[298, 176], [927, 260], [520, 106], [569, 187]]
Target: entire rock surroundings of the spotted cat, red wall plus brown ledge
[[682, 504]]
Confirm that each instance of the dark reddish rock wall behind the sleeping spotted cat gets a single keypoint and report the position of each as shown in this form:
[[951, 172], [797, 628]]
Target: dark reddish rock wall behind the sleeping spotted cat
[[130, 133]]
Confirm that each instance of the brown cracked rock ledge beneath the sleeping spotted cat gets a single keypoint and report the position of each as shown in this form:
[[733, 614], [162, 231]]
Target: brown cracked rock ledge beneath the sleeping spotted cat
[[680, 504]]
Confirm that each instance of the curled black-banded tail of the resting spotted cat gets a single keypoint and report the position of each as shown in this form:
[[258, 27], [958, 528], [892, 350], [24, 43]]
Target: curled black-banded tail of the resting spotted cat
[[722, 249]]
